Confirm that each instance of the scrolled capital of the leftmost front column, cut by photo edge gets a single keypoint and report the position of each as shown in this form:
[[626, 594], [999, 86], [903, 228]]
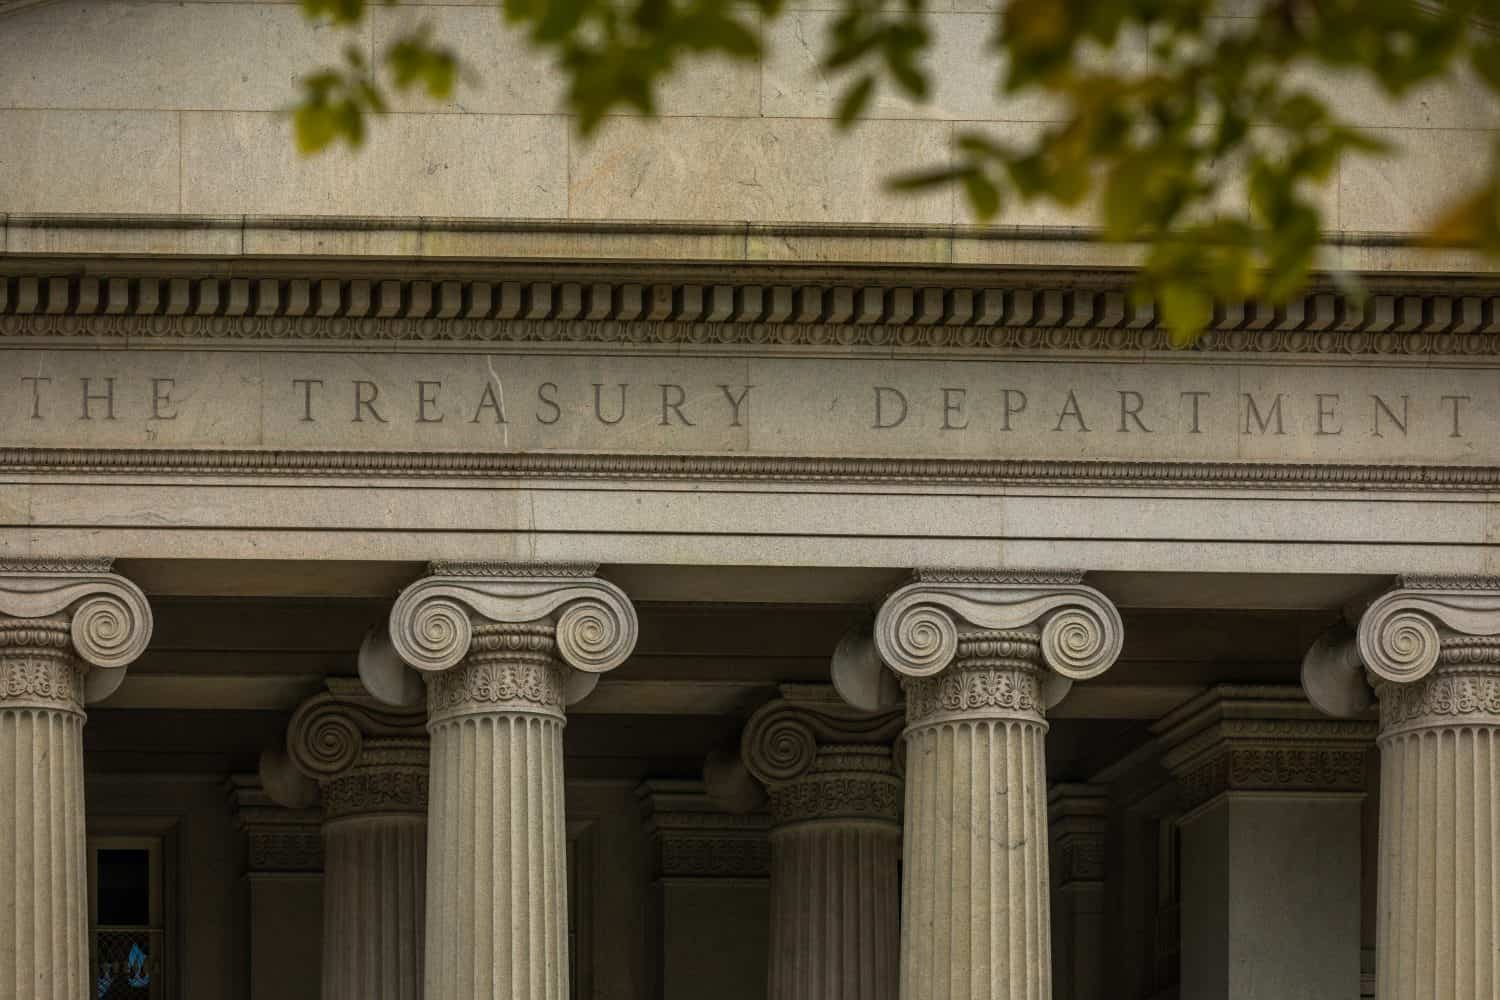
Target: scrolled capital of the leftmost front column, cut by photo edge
[[79, 605]]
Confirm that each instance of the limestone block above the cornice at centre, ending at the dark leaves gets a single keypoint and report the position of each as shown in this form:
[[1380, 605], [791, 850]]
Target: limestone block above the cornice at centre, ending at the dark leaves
[[755, 170]]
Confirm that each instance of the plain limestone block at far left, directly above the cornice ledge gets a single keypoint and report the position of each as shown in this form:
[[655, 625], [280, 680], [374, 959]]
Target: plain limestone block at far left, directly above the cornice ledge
[[89, 161]]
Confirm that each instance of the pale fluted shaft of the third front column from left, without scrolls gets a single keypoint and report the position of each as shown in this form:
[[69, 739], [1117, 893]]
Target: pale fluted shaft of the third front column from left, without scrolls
[[976, 915]]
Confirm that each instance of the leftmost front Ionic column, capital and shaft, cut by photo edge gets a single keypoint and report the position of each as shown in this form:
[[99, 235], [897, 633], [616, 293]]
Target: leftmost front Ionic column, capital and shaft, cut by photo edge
[[67, 633]]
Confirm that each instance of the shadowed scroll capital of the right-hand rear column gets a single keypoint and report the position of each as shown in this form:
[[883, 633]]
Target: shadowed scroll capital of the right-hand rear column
[[824, 761]]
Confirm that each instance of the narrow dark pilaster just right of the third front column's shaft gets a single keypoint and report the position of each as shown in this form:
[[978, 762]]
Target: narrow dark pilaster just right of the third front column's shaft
[[1079, 821]]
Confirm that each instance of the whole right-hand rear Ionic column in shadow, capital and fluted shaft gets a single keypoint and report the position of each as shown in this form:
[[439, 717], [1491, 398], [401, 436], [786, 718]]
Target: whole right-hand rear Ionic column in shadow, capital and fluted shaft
[[836, 845]]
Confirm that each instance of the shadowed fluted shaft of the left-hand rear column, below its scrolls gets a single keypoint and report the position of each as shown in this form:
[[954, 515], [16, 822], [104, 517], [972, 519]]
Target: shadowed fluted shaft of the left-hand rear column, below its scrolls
[[376, 875]]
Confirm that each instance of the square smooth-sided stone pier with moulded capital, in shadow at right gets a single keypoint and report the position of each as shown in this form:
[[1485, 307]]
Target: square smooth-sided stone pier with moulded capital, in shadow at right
[[1271, 843]]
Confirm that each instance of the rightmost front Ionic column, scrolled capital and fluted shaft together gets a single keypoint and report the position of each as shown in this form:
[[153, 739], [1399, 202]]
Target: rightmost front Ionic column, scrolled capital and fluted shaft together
[[1432, 650]]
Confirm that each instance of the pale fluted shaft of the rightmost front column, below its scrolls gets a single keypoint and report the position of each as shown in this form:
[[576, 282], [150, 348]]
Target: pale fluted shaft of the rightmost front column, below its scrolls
[[1439, 923]]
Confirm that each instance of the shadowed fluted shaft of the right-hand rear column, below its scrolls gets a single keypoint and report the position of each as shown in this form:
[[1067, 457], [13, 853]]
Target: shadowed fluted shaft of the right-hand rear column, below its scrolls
[[836, 846]]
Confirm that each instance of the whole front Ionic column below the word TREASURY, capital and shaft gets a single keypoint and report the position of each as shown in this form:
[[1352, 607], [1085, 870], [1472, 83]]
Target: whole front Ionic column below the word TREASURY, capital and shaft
[[503, 650]]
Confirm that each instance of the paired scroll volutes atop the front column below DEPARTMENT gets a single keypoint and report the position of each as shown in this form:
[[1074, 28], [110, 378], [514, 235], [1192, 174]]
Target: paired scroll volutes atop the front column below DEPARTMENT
[[917, 630]]
